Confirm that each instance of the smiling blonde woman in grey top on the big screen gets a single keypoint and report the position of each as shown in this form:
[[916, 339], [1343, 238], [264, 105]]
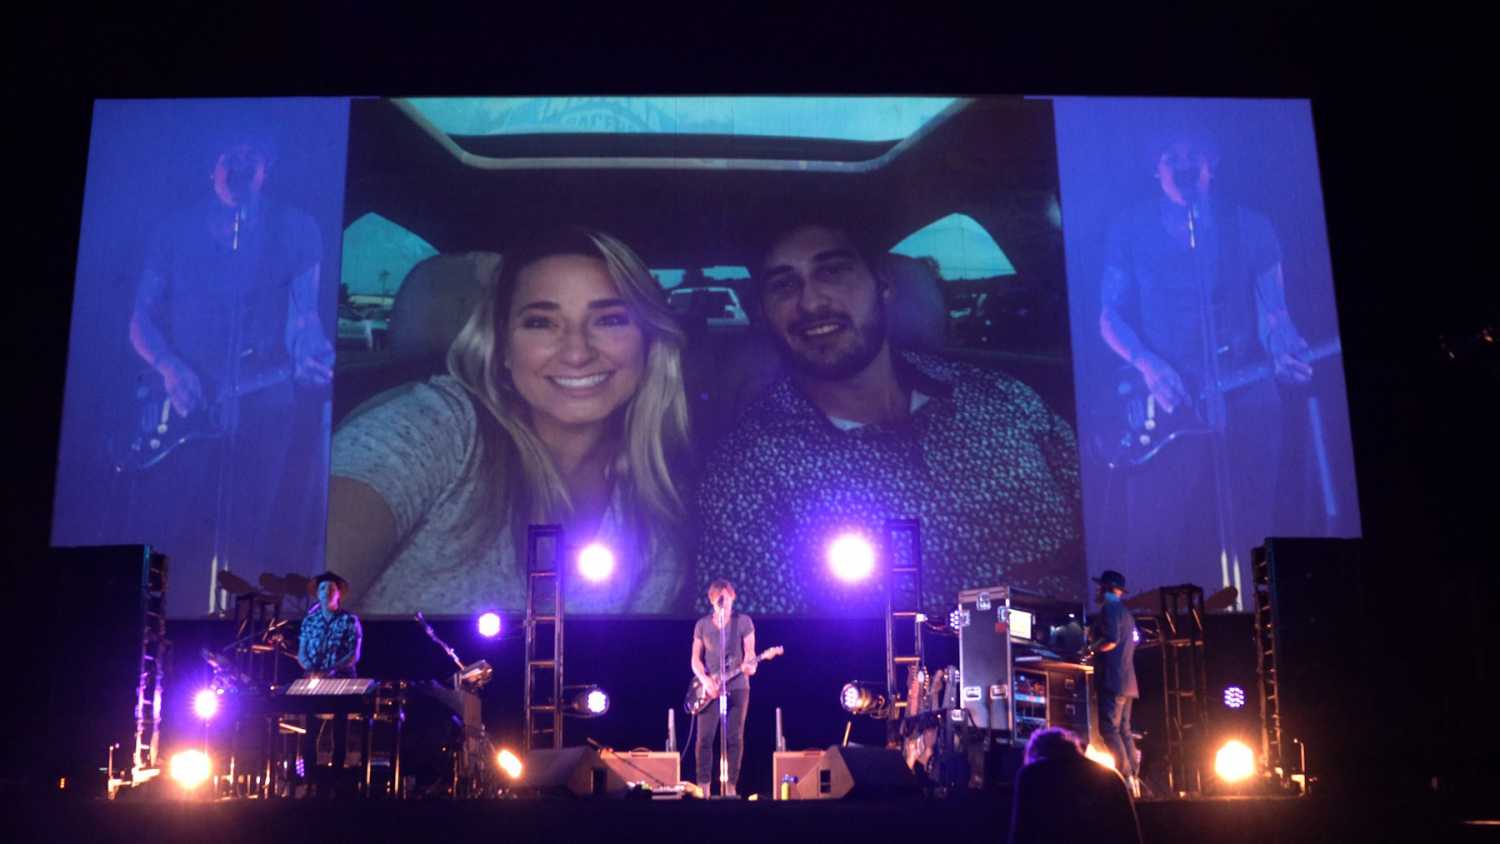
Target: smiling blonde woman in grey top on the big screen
[[565, 406]]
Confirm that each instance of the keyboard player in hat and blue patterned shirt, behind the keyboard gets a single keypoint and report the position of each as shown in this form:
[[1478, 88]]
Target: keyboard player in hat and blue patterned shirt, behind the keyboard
[[329, 647]]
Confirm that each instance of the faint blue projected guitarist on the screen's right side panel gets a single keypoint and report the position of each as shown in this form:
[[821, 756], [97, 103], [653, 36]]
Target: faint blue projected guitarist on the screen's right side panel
[[1193, 286]]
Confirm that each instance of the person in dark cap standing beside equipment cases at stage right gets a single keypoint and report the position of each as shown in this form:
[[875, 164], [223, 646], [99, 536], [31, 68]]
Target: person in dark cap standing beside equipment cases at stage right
[[1114, 645]]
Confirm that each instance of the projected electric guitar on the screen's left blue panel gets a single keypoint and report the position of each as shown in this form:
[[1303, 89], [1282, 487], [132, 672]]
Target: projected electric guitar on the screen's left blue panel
[[157, 431]]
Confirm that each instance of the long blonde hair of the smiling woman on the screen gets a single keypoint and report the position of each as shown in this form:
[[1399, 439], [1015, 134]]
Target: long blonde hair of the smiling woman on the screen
[[515, 470]]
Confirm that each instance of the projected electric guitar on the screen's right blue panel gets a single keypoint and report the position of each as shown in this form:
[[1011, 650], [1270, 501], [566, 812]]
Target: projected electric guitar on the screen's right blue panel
[[1136, 429]]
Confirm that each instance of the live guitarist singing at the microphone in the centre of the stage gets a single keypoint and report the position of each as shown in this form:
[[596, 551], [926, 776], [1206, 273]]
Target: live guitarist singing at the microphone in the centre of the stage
[[739, 635]]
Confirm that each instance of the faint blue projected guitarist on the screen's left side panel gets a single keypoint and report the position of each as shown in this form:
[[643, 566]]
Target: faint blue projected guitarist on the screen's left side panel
[[227, 319]]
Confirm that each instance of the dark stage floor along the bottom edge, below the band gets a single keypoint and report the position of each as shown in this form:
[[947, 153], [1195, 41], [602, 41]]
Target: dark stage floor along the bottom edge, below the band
[[617, 821]]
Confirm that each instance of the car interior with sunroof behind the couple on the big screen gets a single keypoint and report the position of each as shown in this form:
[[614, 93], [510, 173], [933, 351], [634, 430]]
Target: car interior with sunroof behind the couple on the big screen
[[961, 196]]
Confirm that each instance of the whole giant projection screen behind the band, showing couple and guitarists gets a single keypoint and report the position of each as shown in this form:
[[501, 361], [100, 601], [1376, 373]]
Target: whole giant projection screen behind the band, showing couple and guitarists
[[745, 340]]
